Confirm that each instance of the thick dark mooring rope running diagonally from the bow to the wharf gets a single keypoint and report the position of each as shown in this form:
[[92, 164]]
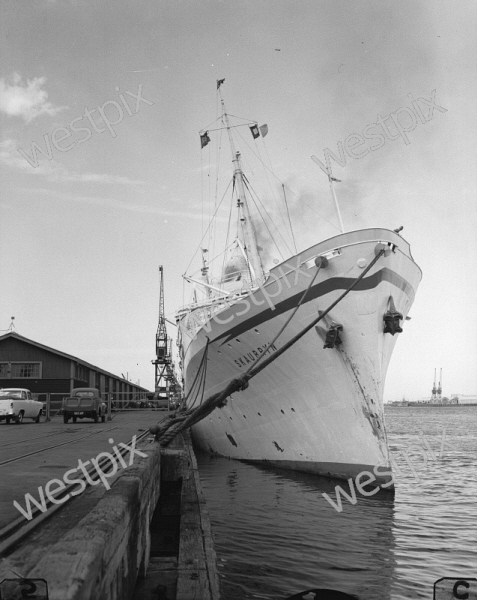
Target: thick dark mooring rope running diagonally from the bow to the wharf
[[165, 432]]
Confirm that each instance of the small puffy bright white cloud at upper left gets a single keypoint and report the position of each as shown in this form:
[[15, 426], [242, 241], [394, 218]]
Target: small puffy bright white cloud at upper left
[[27, 101]]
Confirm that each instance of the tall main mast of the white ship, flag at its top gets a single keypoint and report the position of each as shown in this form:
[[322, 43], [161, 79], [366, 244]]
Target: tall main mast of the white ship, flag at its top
[[248, 231]]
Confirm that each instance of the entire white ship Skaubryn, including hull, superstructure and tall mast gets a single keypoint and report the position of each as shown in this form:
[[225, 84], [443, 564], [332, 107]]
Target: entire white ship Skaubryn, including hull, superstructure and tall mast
[[318, 406]]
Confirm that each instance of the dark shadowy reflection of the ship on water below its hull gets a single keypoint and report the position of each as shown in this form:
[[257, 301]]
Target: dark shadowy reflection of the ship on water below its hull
[[277, 535]]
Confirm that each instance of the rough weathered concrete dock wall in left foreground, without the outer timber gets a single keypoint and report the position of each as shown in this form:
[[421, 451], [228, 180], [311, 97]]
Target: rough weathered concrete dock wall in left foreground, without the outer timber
[[100, 557]]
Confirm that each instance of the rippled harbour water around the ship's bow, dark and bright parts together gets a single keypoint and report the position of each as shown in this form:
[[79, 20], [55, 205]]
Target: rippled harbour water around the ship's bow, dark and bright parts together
[[276, 535]]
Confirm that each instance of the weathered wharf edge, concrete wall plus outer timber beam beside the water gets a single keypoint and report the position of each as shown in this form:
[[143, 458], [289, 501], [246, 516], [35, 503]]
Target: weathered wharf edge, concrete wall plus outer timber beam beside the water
[[98, 546]]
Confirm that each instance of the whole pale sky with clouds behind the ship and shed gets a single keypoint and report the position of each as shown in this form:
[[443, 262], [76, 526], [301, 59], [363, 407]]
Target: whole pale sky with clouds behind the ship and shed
[[115, 94]]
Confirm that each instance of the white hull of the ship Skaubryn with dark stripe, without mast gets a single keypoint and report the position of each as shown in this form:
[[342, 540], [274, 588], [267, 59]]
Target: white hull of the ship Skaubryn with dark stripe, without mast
[[313, 409]]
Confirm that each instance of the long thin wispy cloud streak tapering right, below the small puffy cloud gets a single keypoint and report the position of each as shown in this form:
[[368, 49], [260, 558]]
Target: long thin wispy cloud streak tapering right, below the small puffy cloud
[[54, 171]]
